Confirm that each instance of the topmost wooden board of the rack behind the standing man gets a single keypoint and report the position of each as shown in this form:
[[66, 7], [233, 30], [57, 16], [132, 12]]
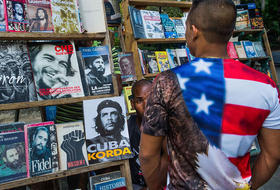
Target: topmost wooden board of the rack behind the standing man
[[180, 4]]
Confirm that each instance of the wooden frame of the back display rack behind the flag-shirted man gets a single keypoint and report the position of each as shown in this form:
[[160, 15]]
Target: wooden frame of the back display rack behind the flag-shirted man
[[131, 44]]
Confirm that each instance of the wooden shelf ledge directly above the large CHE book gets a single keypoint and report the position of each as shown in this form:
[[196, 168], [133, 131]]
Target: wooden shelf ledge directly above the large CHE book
[[50, 36]]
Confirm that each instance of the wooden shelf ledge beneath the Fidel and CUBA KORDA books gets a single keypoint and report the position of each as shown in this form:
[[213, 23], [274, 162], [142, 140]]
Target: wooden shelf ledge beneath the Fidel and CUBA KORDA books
[[60, 174]]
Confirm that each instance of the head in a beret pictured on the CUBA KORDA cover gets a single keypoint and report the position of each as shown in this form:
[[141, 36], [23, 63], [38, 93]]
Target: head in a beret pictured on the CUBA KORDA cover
[[110, 119]]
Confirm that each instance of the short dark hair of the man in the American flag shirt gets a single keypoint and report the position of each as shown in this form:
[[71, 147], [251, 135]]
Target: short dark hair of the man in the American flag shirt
[[215, 18]]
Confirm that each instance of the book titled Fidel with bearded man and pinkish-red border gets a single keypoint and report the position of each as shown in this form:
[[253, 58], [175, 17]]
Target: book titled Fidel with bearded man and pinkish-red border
[[41, 148]]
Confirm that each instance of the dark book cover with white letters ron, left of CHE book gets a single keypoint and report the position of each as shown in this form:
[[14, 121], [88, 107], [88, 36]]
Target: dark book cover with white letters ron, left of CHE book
[[16, 82]]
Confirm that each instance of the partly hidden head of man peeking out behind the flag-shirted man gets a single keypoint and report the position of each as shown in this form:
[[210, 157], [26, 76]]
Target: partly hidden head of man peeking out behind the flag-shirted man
[[140, 92]]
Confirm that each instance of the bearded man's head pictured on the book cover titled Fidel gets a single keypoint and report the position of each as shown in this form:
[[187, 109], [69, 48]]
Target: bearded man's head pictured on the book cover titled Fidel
[[40, 139]]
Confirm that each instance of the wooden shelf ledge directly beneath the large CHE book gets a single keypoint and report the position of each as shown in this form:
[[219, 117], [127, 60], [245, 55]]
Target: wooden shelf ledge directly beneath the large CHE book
[[22, 105]]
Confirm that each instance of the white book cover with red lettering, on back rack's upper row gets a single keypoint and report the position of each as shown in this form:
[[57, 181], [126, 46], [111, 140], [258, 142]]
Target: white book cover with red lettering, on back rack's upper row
[[152, 24]]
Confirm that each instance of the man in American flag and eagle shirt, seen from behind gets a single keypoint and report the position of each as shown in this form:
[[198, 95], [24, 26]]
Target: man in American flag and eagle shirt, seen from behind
[[211, 111]]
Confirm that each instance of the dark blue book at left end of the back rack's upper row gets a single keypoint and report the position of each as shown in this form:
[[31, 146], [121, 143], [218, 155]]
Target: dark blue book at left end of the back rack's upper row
[[136, 23]]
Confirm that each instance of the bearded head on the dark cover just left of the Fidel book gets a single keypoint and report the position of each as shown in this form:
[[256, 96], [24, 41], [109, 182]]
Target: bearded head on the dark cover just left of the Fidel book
[[11, 156]]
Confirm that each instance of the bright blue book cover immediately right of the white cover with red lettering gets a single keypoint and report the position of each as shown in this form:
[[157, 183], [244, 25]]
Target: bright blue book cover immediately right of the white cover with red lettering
[[168, 26]]
